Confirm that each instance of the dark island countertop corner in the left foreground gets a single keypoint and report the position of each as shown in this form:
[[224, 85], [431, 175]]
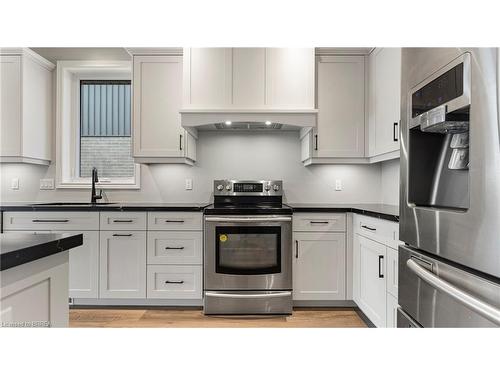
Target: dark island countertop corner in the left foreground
[[21, 248]]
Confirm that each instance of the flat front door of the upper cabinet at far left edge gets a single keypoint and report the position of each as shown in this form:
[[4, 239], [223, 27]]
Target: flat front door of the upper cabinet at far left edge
[[10, 104]]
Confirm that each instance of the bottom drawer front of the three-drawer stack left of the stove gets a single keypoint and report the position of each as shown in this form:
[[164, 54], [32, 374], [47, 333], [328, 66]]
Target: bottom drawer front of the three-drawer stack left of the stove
[[176, 282]]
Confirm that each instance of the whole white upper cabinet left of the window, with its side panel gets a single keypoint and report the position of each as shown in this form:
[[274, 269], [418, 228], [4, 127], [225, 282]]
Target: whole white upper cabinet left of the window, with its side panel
[[26, 106]]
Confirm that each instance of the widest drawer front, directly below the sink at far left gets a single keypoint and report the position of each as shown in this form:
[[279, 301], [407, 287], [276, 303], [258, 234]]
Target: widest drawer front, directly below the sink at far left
[[59, 221]]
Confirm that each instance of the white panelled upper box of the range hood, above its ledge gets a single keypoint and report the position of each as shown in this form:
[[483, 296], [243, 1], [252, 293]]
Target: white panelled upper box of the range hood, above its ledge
[[248, 78]]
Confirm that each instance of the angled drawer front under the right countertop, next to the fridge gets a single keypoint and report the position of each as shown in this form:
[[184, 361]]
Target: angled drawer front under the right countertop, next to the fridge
[[379, 230]]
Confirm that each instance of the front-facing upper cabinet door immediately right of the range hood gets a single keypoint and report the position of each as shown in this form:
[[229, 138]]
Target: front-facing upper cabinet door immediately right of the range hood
[[341, 106]]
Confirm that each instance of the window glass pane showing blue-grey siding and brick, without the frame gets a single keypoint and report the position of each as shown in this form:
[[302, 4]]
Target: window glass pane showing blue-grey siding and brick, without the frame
[[105, 141]]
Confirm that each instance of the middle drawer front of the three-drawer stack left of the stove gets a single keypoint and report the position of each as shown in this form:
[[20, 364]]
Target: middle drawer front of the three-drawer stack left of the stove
[[174, 247]]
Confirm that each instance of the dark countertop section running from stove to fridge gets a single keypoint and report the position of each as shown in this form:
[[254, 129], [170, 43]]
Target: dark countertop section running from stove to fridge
[[381, 211]]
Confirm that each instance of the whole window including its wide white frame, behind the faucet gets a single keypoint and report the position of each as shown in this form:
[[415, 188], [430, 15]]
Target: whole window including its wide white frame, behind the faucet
[[94, 125]]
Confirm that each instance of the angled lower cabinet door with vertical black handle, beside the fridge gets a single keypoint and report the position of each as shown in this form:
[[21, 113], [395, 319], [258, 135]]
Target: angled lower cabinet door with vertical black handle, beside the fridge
[[372, 284]]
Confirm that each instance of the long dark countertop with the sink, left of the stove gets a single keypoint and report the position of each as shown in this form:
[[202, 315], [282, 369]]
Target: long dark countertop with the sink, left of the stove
[[84, 206]]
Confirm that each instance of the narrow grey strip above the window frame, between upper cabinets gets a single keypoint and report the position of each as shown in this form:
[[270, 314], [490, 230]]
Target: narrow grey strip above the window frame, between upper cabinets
[[54, 54]]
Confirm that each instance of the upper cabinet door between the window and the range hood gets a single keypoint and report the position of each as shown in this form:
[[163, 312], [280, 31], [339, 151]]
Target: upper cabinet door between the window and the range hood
[[157, 99]]
